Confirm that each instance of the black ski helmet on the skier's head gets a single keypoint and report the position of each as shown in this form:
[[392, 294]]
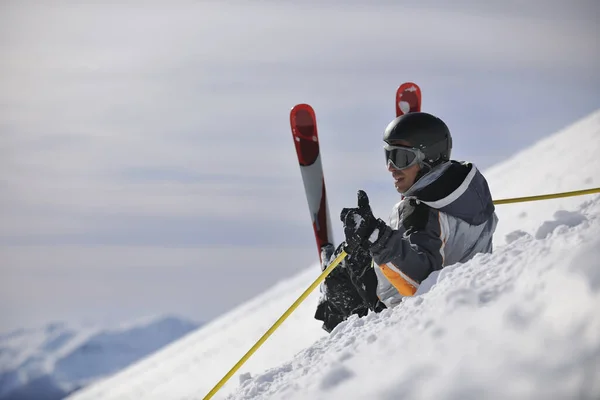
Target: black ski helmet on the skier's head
[[422, 131]]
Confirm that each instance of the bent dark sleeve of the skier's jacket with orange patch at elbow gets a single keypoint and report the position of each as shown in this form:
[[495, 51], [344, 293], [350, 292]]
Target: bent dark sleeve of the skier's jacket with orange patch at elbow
[[408, 255]]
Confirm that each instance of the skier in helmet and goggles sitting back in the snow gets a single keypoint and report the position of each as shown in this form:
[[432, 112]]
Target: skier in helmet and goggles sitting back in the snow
[[446, 216]]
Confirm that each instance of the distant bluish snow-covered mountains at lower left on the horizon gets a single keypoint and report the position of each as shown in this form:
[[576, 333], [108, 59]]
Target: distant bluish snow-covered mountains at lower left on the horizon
[[57, 359]]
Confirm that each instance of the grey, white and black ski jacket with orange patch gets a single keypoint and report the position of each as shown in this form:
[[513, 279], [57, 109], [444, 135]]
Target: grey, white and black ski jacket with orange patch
[[446, 217]]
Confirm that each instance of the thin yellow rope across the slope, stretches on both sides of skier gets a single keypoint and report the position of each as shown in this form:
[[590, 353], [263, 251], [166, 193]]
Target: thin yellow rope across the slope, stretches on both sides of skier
[[335, 263]]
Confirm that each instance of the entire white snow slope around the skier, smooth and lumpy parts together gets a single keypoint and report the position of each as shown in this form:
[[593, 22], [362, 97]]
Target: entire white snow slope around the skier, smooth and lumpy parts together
[[521, 323]]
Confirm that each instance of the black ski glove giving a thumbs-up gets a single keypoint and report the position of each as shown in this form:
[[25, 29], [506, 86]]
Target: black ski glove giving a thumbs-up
[[361, 228]]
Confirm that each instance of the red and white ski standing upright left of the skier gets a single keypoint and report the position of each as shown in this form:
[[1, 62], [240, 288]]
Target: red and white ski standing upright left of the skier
[[303, 123]]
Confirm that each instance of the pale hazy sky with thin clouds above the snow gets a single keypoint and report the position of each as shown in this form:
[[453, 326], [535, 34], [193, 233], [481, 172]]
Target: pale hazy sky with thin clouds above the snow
[[146, 161]]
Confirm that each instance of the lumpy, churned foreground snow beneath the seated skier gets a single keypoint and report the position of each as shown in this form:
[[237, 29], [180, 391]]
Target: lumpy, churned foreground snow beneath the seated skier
[[522, 323]]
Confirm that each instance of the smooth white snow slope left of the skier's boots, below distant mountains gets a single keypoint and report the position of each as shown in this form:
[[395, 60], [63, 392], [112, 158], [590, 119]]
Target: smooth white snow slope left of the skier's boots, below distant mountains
[[192, 365]]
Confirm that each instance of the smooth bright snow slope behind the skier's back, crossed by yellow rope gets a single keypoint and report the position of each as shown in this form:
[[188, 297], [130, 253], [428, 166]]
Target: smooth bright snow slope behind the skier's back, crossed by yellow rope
[[565, 161]]
